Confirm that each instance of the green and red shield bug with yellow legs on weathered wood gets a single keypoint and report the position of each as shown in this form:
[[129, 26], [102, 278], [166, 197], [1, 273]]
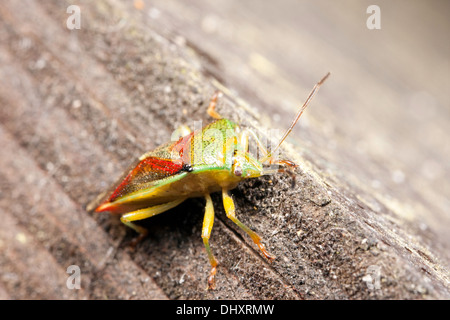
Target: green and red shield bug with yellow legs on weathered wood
[[213, 159]]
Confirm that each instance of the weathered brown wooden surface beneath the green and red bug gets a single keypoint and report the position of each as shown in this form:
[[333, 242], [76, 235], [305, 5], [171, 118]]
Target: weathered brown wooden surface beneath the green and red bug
[[78, 106]]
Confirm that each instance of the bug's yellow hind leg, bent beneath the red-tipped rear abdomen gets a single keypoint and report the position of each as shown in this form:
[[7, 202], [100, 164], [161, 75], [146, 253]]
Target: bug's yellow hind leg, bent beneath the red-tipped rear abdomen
[[145, 213]]
